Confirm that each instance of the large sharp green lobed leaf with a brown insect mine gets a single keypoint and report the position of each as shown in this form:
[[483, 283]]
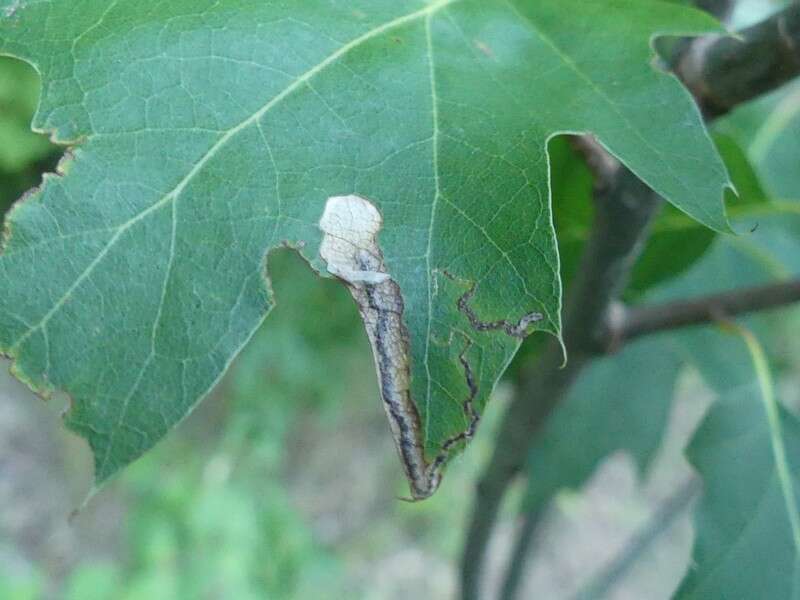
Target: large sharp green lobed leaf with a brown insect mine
[[208, 133]]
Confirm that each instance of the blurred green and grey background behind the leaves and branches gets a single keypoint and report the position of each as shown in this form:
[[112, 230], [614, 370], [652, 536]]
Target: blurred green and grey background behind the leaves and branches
[[284, 483]]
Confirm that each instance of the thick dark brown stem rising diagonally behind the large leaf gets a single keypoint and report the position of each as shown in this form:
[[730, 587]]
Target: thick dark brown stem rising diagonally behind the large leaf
[[721, 72]]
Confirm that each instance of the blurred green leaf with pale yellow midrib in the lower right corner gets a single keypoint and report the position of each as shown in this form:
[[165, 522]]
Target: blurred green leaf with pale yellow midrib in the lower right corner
[[748, 525]]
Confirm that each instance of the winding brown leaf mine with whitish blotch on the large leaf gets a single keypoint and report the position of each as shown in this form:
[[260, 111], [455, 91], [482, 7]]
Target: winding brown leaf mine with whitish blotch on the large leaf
[[350, 226]]
